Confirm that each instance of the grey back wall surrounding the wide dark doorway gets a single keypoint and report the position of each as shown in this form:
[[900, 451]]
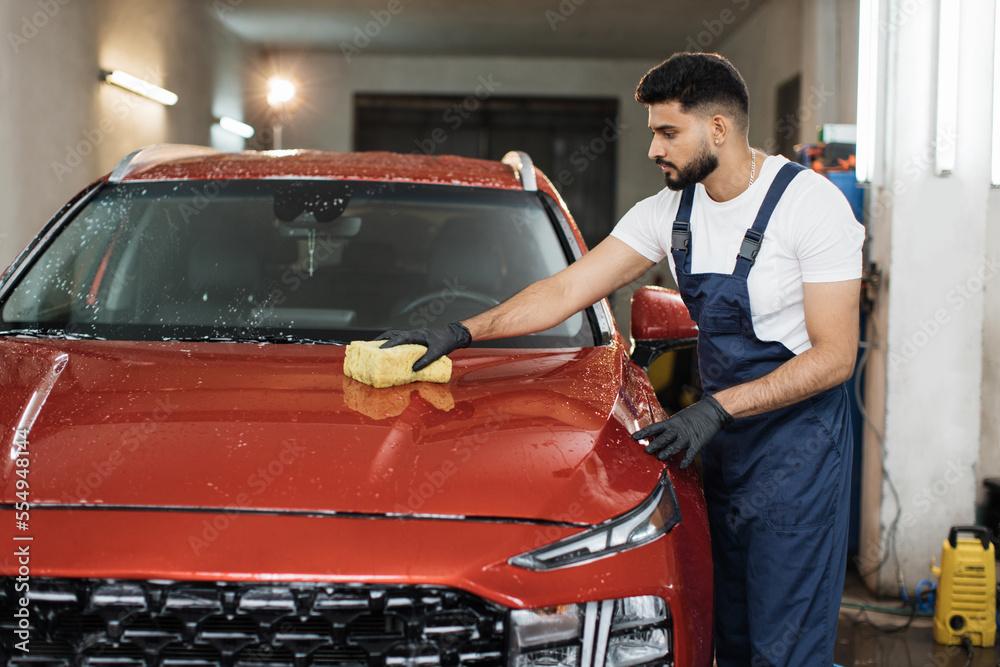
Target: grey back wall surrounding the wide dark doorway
[[328, 82]]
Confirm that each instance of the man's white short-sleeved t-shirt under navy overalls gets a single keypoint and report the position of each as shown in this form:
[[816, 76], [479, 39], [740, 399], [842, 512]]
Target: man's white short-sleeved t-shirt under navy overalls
[[812, 237]]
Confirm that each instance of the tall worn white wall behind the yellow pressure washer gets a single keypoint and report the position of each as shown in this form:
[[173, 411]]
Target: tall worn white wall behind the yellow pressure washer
[[932, 384]]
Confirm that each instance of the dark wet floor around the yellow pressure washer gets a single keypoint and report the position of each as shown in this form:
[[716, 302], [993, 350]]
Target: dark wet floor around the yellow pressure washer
[[860, 643]]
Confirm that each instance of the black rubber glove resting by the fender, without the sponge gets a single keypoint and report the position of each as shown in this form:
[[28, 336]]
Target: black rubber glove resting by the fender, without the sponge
[[690, 428]]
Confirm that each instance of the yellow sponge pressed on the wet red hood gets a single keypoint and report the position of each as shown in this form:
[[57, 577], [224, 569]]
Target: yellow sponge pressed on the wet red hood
[[366, 361]]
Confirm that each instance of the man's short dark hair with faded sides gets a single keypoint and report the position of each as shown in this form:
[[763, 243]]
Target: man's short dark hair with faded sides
[[699, 81]]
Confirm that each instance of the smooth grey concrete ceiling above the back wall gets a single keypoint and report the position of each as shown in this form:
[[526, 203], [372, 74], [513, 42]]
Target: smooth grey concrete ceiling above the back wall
[[649, 29]]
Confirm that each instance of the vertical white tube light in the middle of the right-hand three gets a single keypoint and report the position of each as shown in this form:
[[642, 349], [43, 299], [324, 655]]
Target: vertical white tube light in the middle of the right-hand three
[[946, 117]]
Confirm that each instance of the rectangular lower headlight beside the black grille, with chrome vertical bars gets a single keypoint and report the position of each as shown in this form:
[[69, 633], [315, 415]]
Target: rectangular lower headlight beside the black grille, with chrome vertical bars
[[615, 633]]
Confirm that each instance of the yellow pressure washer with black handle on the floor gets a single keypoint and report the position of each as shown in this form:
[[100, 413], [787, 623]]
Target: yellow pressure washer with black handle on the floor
[[965, 605]]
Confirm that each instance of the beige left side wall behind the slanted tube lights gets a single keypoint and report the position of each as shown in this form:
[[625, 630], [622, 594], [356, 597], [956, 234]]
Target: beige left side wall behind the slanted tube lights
[[62, 128]]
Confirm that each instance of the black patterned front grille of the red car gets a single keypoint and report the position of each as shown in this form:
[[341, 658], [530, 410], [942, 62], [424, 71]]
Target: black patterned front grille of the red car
[[120, 623]]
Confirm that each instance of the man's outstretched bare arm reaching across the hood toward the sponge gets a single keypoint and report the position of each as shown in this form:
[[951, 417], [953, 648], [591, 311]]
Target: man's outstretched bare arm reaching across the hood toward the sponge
[[547, 302]]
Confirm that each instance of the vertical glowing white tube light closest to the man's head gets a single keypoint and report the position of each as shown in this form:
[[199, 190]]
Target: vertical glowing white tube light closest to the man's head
[[867, 112]]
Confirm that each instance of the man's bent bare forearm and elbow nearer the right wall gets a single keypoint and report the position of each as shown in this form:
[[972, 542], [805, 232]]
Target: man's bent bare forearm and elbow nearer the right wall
[[831, 313]]
